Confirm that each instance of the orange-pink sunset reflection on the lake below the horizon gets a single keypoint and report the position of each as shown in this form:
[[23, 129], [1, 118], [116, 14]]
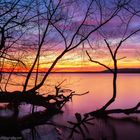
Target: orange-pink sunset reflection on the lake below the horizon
[[98, 85]]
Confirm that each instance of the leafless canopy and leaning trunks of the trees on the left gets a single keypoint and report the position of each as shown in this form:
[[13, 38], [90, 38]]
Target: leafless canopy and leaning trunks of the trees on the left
[[34, 25]]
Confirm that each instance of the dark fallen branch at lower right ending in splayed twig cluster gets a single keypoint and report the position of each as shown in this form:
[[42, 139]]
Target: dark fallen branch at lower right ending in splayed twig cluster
[[86, 118]]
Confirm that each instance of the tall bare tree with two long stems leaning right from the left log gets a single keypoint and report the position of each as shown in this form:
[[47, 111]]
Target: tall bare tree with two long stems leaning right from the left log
[[77, 36]]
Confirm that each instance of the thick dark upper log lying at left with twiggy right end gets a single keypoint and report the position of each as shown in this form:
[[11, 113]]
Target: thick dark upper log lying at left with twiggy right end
[[55, 102]]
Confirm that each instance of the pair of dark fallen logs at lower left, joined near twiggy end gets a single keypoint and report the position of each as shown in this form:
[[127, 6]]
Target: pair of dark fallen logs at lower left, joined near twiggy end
[[16, 124]]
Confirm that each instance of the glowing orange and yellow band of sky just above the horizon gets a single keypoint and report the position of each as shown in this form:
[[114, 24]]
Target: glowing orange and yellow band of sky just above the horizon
[[77, 61]]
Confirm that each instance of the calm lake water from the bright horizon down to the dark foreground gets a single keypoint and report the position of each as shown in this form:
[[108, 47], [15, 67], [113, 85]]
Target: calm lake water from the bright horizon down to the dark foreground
[[100, 91]]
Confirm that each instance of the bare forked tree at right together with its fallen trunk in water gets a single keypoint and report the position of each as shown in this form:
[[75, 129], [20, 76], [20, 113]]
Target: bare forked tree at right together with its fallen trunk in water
[[113, 39]]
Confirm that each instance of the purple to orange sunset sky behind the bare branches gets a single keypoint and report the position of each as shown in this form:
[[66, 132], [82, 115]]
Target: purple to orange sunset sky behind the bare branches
[[77, 60]]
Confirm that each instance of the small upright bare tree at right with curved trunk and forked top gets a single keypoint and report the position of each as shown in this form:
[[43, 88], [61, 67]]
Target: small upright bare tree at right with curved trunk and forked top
[[125, 33]]
